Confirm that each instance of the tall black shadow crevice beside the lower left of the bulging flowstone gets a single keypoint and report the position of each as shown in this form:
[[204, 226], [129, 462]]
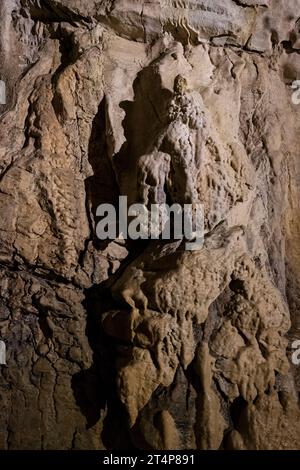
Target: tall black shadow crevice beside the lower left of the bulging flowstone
[[95, 389]]
